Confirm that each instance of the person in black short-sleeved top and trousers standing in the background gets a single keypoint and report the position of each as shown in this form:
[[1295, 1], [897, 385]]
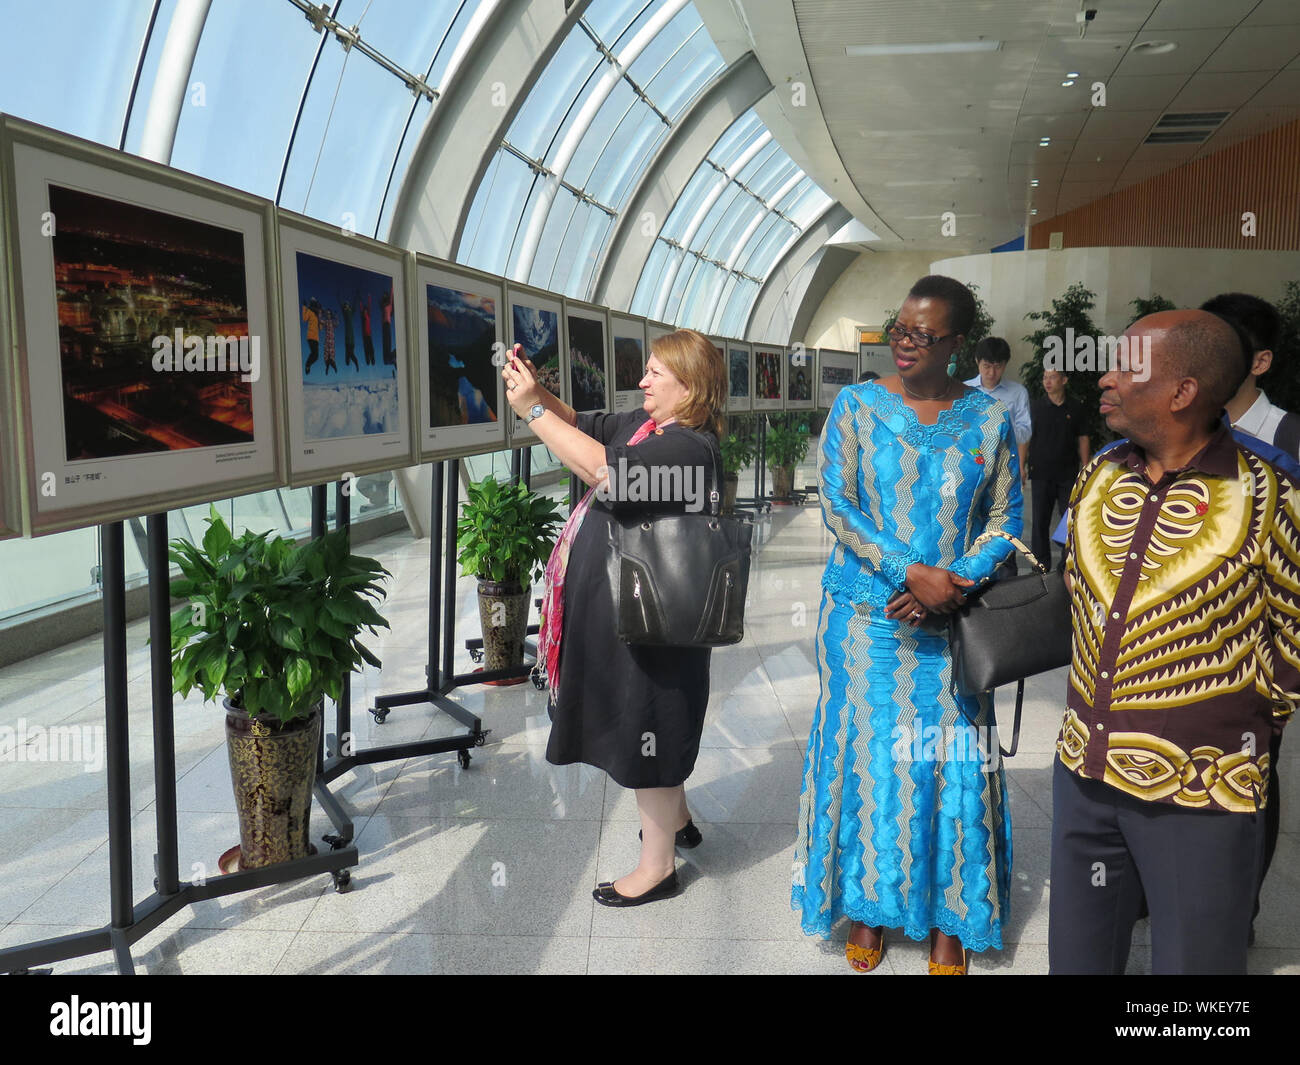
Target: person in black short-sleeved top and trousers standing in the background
[[1058, 451]]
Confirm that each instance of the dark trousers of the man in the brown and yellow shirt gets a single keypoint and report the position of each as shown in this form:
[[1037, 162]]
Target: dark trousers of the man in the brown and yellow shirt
[[1199, 871]]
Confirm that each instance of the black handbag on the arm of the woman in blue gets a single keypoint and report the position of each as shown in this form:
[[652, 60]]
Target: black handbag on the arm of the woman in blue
[[1009, 630]]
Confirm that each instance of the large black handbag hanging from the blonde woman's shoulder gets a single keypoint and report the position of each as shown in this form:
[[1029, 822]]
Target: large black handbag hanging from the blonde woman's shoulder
[[681, 581]]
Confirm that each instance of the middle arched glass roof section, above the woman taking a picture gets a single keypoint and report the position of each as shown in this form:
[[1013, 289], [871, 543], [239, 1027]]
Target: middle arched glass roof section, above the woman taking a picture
[[590, 129]]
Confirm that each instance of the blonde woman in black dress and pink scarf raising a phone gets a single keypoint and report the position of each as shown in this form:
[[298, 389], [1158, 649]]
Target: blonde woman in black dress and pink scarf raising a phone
[[635, 712]]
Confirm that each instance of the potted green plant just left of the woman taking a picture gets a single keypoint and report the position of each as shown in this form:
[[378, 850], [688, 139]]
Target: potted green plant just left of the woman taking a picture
[[506, 534]]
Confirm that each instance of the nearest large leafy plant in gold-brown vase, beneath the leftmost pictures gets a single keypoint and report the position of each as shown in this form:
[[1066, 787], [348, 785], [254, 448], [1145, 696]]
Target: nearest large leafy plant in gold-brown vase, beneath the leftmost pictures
[[274, 627]]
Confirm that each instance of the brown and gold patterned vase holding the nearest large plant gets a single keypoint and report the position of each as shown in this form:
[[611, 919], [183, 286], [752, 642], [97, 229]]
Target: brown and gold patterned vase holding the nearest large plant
[[274, 772]]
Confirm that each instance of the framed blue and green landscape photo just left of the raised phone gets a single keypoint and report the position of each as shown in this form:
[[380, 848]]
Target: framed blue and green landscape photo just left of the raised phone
[[460, 353]]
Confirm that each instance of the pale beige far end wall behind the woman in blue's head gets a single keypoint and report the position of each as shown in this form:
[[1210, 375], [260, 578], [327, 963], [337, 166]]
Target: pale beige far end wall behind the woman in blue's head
[[876, 283]]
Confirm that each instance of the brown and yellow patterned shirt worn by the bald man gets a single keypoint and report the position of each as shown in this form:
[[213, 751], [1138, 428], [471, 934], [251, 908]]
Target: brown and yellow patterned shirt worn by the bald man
[[1186, 616]]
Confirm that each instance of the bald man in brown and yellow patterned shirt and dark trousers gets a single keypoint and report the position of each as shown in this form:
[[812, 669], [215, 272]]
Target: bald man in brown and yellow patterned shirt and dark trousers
[[1185, 578]]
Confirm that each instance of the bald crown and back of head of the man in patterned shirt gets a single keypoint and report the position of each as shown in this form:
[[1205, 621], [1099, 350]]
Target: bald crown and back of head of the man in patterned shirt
[[1199, 345]]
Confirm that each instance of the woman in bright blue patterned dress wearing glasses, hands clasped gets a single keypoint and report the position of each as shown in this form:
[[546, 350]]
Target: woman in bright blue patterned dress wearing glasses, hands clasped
[[903, 820]]
